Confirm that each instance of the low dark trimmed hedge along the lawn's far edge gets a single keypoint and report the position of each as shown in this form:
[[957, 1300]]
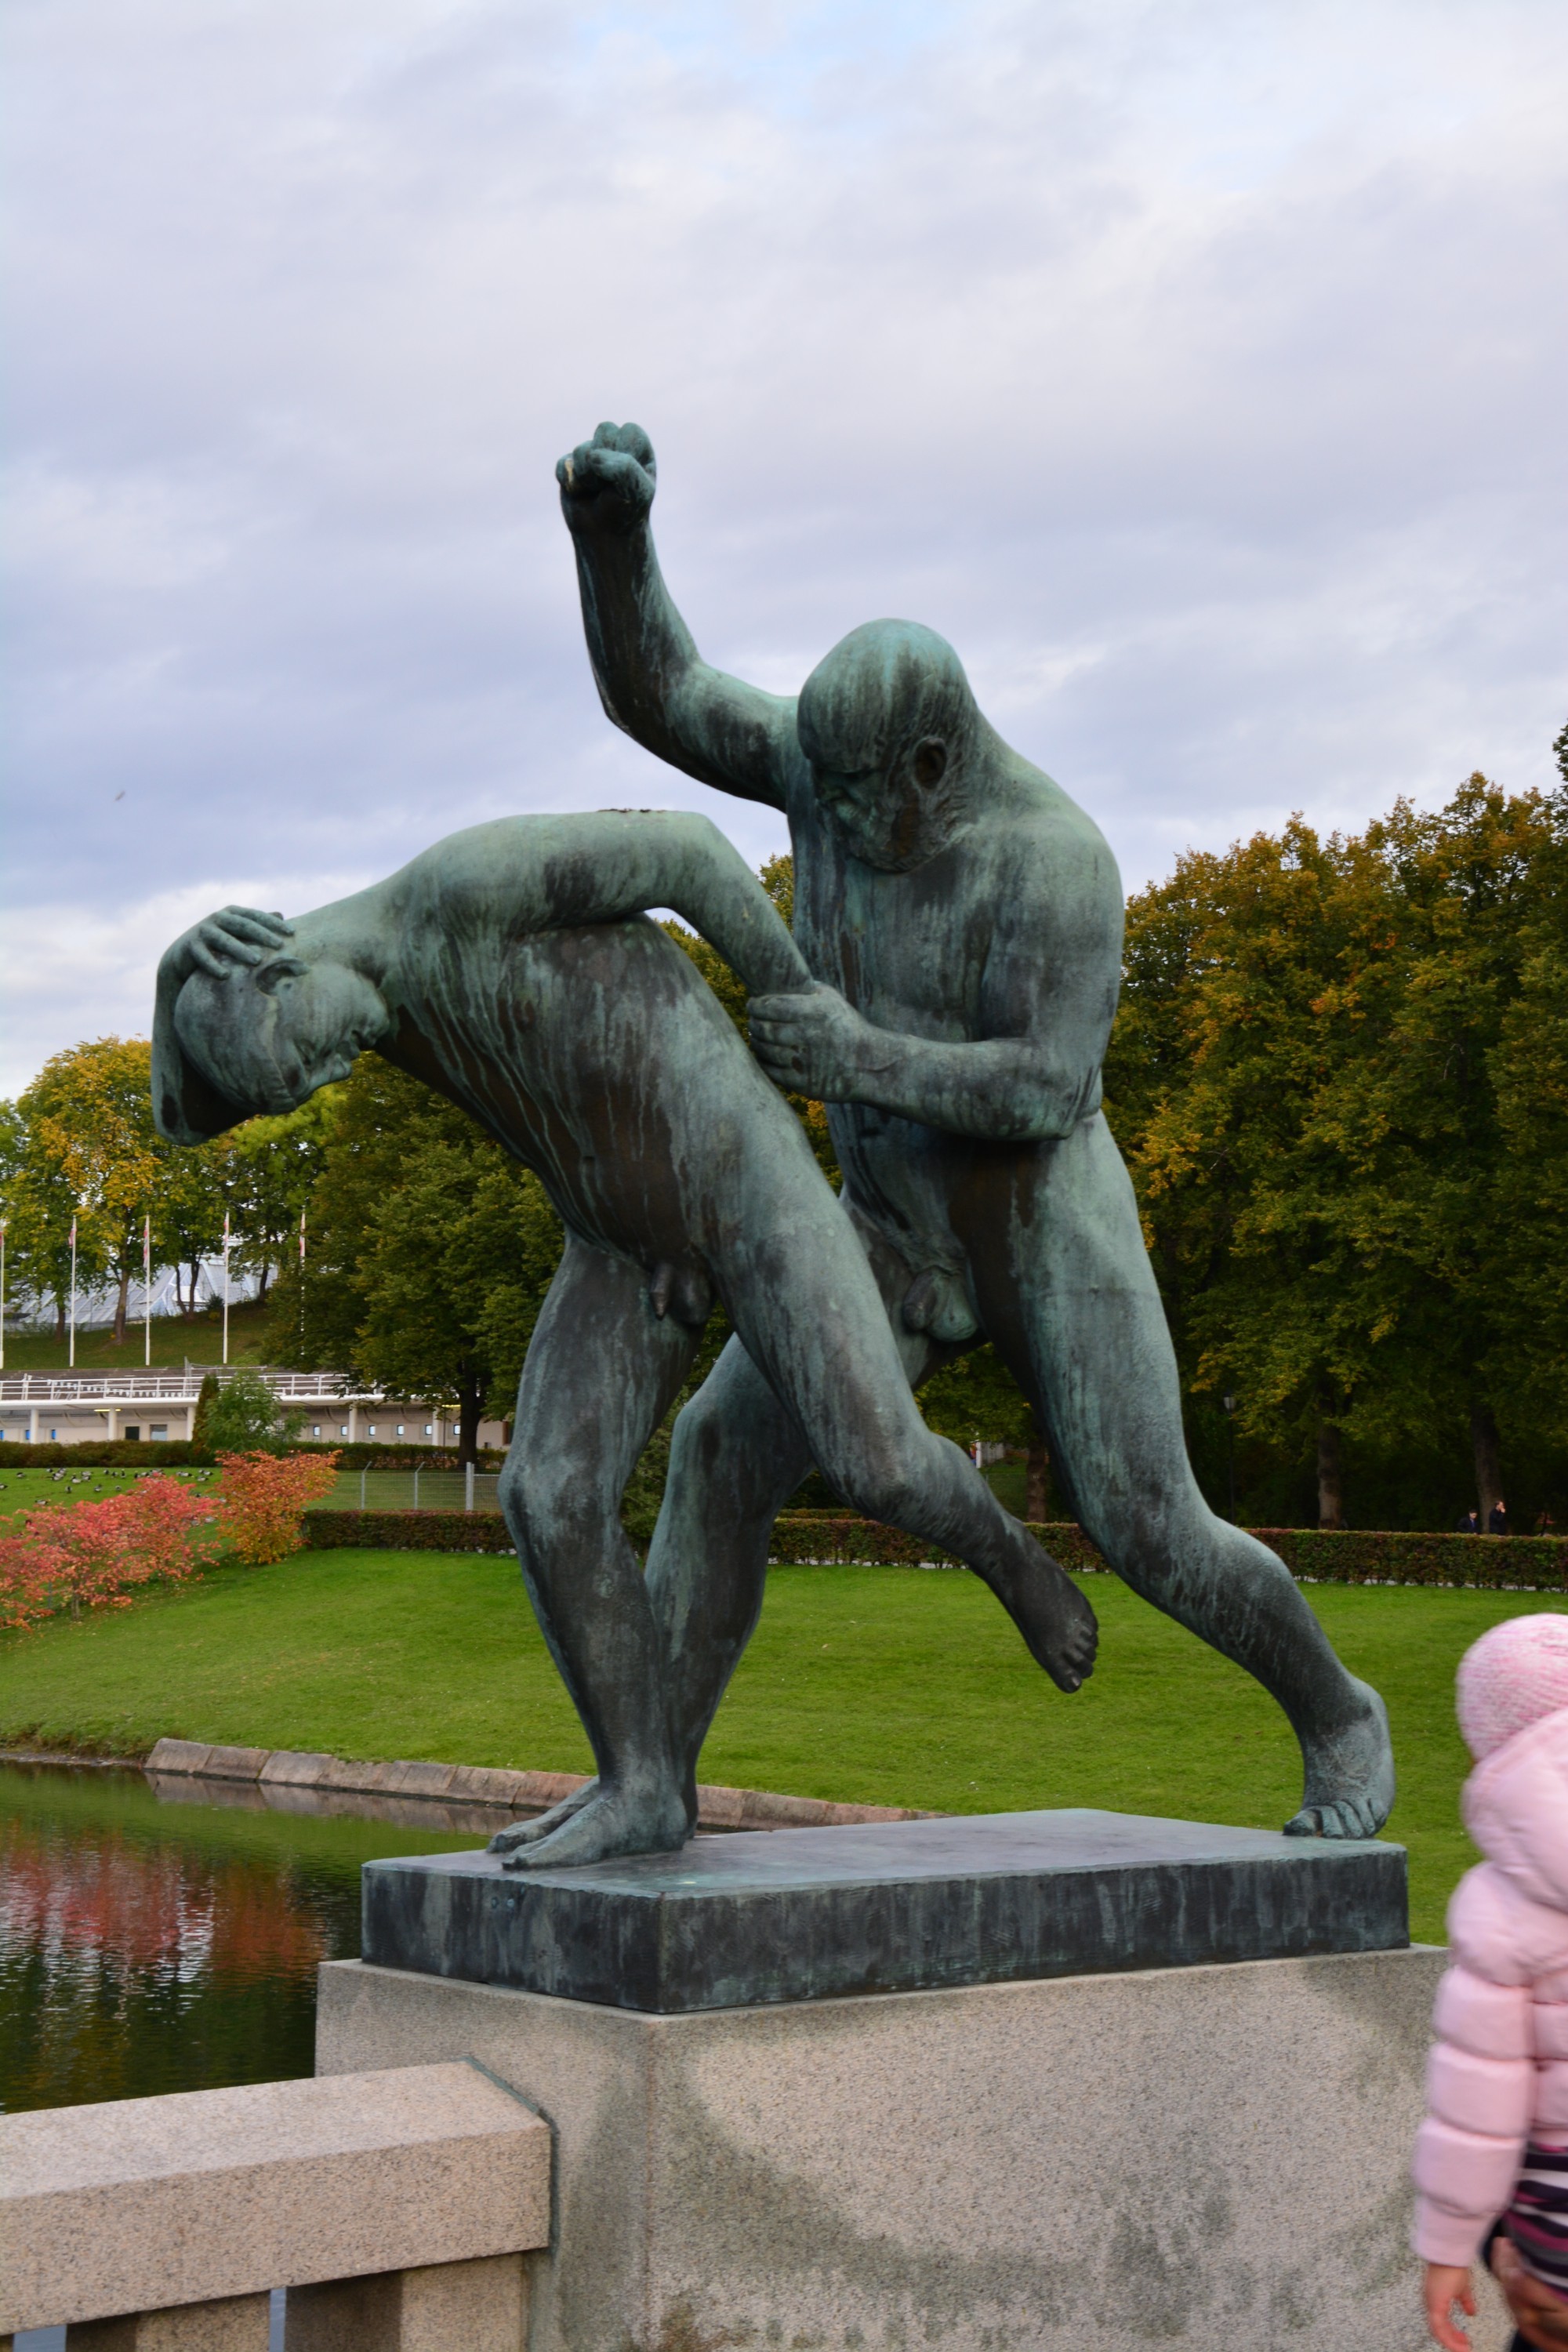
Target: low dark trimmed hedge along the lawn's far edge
[[838, 1539]]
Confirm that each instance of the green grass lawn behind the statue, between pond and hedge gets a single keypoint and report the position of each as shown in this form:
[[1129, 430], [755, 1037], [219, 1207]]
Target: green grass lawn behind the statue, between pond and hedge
[[880, 1685]]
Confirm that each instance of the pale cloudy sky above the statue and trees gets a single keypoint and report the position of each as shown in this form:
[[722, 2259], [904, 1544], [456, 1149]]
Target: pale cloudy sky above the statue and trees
[[1195, 366]]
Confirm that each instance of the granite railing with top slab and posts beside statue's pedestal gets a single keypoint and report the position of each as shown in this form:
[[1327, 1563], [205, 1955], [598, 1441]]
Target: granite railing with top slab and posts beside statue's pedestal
[[394, 2207]]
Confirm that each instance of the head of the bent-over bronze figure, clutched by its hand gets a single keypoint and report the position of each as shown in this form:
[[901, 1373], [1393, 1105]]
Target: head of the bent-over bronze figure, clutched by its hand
[[267, 1036]]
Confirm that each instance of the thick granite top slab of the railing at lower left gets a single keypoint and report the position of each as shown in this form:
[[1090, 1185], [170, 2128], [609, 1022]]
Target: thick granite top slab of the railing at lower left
[[138, 2205]]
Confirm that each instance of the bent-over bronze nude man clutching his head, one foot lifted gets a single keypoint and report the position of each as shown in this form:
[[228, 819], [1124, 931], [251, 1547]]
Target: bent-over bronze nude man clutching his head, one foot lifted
[[502, 968]]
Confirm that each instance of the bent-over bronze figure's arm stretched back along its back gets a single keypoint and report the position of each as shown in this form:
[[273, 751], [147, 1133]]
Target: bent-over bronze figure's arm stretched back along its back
[[551, 874]]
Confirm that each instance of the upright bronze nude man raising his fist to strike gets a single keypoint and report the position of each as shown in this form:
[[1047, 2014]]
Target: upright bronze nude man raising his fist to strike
[[967, 918]]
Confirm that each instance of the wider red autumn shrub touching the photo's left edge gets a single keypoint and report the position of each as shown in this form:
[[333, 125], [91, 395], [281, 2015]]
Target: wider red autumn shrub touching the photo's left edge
[[86, 1556]]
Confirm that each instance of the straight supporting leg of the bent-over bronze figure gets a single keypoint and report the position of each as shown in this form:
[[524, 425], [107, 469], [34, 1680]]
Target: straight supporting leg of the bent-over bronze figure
[[601, 1377]]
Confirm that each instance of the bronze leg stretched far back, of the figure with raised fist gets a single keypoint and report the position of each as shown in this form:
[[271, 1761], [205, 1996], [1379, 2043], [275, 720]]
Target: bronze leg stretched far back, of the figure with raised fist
[[1071, 1299]]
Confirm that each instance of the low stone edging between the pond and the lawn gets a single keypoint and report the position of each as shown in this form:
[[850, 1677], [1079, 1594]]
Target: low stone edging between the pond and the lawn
[[495, 1786]]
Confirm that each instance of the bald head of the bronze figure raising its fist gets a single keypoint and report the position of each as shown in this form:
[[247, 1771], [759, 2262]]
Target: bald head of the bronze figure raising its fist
[[887, 723]]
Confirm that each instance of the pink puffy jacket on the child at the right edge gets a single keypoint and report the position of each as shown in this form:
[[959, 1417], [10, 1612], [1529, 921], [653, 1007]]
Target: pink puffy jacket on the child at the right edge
[[1499, 2071]]
